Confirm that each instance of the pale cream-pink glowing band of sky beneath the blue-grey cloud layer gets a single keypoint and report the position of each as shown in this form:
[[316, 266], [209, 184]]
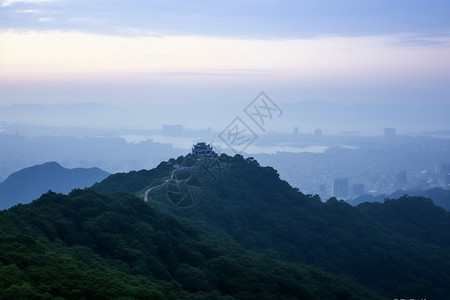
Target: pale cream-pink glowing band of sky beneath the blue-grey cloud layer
[[355, 63]]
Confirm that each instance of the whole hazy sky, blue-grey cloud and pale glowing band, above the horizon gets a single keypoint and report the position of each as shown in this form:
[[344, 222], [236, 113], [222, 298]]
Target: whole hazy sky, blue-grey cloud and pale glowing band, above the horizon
[[348, 51]]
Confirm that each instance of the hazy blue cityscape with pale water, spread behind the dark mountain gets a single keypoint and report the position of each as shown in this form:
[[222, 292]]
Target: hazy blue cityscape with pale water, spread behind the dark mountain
[[342, 166]]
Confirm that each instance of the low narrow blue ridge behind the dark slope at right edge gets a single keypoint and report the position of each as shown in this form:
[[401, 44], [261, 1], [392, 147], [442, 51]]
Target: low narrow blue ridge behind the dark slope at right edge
[[439, 196]]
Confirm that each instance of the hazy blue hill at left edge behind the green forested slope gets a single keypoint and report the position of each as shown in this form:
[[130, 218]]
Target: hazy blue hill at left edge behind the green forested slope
[[28, 184]]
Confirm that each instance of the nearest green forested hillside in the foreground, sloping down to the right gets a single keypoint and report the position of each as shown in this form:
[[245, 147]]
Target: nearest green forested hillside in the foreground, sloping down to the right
[[90, 246]]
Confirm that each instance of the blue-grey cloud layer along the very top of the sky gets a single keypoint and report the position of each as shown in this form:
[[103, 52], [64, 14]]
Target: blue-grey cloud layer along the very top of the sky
[[249, 19]]
